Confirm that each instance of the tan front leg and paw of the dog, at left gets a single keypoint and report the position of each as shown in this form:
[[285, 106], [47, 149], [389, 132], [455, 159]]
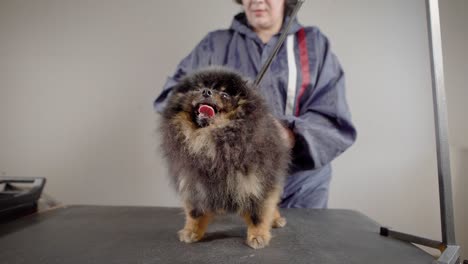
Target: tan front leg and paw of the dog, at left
[[194, 227]]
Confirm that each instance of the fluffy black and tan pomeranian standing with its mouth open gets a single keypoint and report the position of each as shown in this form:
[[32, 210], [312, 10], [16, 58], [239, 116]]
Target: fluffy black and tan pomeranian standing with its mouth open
[[226, 153]]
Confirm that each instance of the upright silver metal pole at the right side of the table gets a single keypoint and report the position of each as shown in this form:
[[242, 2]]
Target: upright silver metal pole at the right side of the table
[[441, 124]]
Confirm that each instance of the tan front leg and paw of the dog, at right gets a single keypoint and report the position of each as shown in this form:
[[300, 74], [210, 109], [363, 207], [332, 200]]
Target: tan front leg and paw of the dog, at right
[[258, 236]]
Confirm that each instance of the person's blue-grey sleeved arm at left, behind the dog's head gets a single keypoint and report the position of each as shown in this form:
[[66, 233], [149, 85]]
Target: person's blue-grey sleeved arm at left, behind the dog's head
[[200, 56]]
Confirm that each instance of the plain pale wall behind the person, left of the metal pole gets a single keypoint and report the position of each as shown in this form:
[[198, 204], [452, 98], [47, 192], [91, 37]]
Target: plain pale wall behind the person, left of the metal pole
[[77, 80]]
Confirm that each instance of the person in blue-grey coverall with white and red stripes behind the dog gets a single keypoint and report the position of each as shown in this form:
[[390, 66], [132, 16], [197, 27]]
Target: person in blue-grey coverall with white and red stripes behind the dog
[[304, 86]]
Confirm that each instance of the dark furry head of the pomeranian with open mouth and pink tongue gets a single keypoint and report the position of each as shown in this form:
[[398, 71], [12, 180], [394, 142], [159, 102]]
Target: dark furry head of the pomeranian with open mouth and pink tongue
[[209, 96]]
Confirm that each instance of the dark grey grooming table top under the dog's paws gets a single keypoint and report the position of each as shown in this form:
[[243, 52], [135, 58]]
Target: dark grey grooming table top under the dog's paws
[[106, 234]]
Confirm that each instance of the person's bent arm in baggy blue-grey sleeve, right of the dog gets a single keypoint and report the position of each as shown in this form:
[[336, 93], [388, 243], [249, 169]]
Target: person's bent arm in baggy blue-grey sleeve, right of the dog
[[323, 128]]
